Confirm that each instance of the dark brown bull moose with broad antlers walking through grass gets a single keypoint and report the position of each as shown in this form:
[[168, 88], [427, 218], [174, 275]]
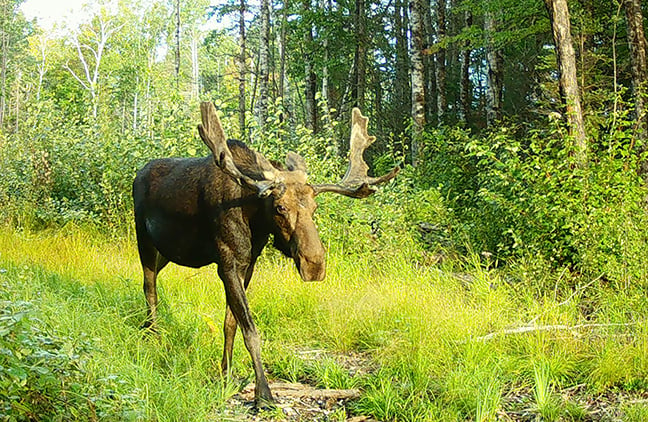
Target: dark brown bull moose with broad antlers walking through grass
[[223, 208]]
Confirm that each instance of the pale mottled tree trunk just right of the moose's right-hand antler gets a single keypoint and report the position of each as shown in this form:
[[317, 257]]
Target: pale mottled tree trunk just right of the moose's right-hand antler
[[418, 76]]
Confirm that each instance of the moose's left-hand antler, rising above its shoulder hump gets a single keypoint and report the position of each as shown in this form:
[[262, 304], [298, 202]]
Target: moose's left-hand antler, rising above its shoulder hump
[[212, 133]]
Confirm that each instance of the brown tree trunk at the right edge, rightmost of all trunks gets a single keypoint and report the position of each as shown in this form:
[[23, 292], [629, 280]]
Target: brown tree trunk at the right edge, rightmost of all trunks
[[637, 43]]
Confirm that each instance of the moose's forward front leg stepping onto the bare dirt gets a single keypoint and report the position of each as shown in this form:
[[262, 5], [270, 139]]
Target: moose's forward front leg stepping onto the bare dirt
[[237, 303]]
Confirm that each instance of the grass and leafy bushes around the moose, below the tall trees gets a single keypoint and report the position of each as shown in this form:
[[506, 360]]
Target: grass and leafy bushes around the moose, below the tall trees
[[497, 279]]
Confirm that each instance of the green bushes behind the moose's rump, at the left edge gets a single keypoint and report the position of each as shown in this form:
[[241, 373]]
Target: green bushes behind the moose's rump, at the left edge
[[81, 174]]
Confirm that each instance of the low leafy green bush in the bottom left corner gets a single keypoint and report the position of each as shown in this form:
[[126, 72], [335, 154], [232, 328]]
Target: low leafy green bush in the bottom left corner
[[44, 374]]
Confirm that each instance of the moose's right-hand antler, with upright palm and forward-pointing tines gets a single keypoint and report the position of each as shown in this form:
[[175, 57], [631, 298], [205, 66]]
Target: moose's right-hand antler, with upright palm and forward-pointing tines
[[356, 183]]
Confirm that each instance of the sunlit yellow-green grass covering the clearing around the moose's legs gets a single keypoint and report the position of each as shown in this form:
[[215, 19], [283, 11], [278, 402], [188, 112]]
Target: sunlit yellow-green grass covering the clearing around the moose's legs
[[418, 330]]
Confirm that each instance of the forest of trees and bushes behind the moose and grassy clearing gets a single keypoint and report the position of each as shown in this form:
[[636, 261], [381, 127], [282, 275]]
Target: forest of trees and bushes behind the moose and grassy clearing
[[521, 125]]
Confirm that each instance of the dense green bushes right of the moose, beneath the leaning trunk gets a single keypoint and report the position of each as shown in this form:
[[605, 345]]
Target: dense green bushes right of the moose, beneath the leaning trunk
[[517, 196]]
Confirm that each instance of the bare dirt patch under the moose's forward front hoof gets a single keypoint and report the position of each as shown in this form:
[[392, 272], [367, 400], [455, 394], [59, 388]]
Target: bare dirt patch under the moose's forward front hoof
[[295, 402]]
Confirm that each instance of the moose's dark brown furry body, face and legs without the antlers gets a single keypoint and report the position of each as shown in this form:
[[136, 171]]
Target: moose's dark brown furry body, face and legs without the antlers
[[188, 211]]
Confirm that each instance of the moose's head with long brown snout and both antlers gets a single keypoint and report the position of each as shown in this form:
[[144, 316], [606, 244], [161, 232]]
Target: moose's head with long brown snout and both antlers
[[292, 198]]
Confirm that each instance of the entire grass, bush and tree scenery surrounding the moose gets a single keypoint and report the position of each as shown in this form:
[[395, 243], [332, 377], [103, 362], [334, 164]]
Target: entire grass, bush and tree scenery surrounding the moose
[[502, 275]]
